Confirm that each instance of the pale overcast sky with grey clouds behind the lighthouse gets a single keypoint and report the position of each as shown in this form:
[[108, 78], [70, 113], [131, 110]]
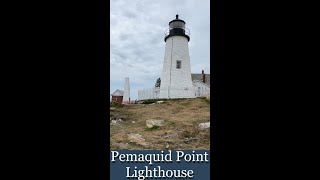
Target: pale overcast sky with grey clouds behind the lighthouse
[[137, 39]]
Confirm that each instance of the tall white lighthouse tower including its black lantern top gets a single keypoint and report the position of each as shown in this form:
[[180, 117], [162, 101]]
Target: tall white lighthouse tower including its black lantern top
[[176, 73]]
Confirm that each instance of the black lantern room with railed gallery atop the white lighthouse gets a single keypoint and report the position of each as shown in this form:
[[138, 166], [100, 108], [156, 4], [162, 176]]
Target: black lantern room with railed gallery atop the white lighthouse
[[177, 28]]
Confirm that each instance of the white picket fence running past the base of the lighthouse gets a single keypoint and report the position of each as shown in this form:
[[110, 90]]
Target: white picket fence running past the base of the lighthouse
[[154, 93]]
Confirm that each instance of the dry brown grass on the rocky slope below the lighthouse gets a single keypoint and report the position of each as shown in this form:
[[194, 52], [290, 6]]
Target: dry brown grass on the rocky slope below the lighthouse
[[181, 125]]
